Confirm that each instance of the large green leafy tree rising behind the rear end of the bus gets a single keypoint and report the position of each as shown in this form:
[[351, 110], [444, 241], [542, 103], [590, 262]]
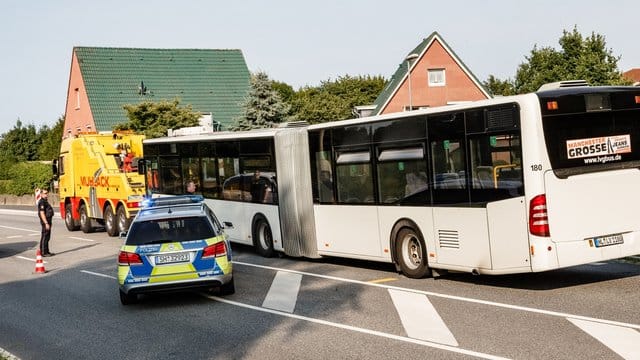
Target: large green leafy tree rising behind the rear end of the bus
[[578, 59]]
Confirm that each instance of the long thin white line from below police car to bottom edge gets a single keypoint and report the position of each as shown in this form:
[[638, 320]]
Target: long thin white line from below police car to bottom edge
[[357, 329]]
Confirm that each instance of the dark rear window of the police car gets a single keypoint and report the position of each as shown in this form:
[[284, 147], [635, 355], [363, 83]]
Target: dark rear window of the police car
[[170, 230]]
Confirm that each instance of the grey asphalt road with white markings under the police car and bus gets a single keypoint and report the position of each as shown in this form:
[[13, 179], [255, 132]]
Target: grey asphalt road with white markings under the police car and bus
[[287, 308]]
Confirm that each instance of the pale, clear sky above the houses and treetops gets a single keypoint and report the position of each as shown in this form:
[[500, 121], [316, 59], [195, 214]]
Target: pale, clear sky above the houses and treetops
[[301, 43]]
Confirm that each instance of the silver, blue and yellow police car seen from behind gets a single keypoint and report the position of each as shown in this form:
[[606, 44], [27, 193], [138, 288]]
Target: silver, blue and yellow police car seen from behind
[[174, 243]]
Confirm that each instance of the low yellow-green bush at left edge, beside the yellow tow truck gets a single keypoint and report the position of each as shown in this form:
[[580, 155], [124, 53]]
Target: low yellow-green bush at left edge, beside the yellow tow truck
[[26, 176]]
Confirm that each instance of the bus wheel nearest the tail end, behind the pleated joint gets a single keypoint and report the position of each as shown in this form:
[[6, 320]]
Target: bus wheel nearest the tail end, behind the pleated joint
[[411, 253]]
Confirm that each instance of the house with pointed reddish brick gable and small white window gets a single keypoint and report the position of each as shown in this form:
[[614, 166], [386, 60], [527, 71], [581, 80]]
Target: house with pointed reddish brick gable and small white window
[[429, 75]]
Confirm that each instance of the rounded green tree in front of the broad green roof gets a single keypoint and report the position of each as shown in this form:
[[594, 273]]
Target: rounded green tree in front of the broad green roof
[[153, 119]]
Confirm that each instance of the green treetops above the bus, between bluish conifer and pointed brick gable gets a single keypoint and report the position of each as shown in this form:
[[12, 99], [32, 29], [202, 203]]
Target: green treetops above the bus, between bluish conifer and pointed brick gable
[[335, 100]]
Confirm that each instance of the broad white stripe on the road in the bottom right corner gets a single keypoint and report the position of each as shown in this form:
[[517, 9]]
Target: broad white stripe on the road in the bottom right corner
[[622, 340]]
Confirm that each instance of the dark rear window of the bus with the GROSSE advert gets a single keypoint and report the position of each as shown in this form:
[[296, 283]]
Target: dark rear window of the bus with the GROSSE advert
[[592, 141]]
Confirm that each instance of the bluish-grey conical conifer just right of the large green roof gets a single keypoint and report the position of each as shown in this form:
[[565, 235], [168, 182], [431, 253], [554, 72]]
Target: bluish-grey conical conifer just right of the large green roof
[[263, 107]]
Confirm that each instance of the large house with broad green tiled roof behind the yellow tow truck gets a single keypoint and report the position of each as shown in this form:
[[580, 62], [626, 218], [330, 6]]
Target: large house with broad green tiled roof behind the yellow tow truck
[[102, 80]]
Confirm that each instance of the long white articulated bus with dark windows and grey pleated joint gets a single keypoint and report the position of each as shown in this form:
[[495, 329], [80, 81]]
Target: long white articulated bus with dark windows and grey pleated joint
[[509, 185]]
